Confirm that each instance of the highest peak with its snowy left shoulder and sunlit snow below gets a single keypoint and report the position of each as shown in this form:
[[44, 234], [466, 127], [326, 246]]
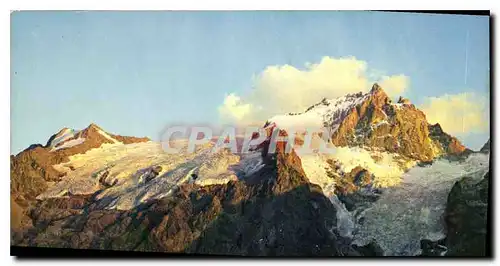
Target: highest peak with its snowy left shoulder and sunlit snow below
[[370, 132]]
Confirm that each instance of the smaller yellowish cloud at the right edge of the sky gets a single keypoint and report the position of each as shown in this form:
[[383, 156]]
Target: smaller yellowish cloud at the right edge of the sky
[[461, 113]]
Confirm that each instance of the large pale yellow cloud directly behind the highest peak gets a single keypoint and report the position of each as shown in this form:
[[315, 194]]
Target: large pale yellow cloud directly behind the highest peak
[[283, 89]]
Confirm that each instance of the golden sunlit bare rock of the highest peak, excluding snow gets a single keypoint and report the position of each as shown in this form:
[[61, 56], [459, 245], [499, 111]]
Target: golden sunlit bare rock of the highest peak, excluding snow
[[402, 129]]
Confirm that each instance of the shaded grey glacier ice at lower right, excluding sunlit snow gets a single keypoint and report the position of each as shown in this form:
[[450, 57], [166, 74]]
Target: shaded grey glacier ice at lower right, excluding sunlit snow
[[412, 211]]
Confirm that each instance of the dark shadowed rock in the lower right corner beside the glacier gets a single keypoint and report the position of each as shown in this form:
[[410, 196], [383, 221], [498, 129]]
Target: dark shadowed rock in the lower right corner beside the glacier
[[466, 218]]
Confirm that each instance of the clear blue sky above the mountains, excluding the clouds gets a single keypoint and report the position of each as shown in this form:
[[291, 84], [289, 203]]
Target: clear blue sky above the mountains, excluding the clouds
[[134, 72]]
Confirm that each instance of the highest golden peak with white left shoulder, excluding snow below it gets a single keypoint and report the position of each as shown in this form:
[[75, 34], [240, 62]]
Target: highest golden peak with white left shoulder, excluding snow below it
[[373, 121]]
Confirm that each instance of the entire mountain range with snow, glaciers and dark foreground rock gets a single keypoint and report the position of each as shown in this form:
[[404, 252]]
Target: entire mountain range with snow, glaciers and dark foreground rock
[[381, 192]]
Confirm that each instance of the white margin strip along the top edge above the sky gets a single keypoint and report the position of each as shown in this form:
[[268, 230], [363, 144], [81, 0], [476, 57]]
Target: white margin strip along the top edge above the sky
[[246, 5]]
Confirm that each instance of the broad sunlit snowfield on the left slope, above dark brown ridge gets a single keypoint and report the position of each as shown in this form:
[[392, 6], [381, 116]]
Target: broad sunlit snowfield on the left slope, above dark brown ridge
[[120, 172]]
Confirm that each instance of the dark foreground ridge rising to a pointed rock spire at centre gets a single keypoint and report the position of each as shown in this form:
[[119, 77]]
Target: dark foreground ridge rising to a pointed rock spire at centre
[[279, 213]]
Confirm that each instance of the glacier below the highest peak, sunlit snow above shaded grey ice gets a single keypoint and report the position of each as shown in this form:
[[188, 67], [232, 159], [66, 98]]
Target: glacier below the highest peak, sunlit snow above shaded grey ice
[[410, 207]]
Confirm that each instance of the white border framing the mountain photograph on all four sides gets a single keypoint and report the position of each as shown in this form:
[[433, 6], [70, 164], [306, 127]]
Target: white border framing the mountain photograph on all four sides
[[8, 6]]
